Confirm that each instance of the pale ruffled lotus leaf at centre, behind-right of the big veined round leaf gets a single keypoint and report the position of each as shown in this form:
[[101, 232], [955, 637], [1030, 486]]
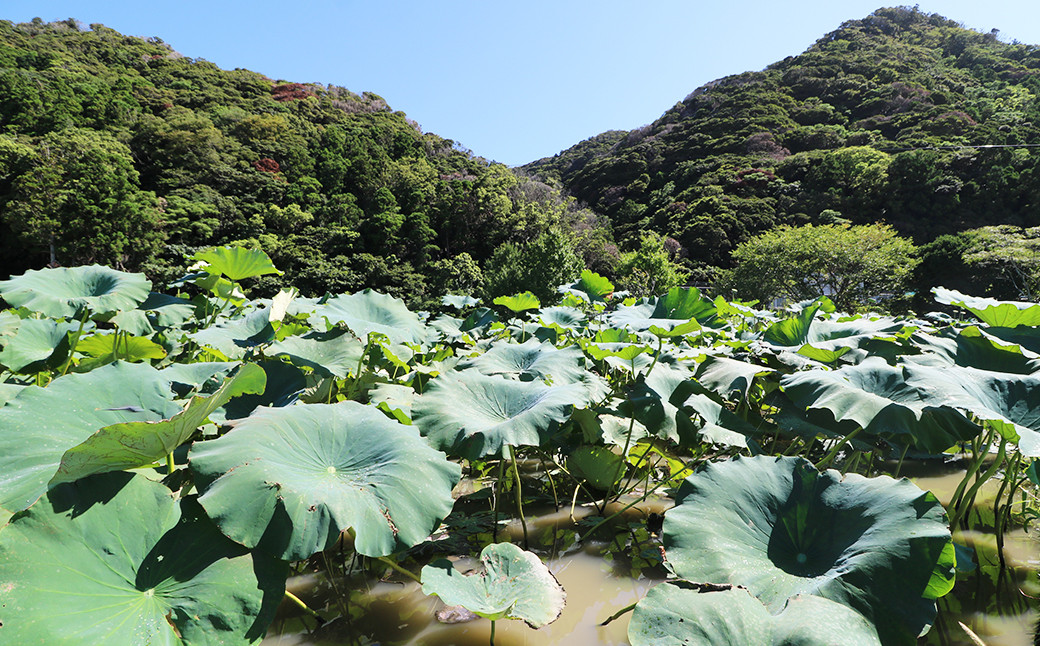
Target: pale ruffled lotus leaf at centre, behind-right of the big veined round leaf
[[474, 416]]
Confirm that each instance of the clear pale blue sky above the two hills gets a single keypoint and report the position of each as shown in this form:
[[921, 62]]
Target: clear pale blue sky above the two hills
[[512, 82]]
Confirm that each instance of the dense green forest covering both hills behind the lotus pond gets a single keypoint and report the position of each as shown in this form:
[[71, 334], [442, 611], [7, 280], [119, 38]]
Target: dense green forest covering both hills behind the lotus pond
[[119, 150]]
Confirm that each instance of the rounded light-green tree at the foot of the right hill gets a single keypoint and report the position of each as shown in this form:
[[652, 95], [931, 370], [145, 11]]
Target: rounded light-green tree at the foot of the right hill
[[849, 264]]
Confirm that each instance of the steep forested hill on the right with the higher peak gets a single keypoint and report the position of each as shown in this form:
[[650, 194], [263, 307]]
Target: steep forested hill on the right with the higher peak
[[866, 126]]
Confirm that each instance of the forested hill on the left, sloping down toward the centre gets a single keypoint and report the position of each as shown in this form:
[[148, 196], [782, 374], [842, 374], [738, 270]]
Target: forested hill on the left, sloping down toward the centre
[[121, 151]]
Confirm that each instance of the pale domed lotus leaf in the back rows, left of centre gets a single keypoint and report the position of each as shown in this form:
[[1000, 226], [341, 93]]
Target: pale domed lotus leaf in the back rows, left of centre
[[371, 312]]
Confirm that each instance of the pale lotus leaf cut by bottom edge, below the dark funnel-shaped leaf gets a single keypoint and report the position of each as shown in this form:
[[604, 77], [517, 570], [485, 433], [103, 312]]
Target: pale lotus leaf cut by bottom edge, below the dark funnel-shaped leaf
[[680, 613]]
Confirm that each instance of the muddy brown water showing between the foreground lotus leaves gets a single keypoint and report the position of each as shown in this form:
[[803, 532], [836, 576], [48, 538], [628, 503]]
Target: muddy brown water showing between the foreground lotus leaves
[[1001, 611]]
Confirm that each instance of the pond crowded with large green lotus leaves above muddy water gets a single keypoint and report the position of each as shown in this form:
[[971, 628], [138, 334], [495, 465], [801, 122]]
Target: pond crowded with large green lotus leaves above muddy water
[[195, 467]]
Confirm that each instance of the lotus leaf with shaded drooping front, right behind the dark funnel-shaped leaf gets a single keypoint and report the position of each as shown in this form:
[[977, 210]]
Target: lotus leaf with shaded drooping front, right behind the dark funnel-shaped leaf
[[888, 401]]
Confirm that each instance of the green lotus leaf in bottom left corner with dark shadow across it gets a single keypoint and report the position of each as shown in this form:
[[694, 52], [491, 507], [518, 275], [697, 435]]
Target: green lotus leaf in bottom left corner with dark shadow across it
[[114, 560]]
